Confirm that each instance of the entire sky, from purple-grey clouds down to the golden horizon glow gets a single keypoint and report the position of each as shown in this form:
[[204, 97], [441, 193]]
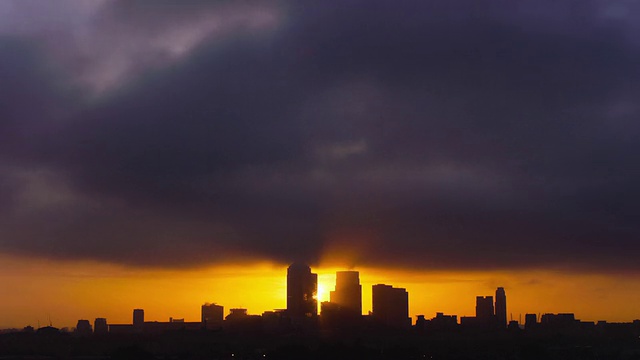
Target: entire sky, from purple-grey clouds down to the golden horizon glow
[[487, 141]]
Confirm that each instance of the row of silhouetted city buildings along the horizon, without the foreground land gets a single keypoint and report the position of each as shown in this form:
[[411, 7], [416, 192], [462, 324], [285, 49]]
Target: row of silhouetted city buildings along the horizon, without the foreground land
[[390, 312]]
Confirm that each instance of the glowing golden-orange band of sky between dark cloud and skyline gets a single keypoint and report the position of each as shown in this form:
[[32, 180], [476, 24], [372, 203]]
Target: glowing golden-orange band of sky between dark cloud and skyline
[[35, 290]]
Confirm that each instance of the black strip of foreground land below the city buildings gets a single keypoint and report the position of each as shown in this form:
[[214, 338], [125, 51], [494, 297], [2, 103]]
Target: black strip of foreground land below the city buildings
[[208, 344]]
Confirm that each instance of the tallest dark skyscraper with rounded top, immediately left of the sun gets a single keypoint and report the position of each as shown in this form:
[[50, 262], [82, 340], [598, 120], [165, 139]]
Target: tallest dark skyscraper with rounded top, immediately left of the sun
[[302, 286]]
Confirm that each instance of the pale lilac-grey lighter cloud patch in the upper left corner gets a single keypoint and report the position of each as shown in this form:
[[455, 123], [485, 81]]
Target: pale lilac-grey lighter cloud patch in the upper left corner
[[105, 44]]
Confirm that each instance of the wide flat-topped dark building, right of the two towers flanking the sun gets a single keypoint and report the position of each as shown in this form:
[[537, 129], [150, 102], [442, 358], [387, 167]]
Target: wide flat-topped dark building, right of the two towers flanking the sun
[[391, 306]]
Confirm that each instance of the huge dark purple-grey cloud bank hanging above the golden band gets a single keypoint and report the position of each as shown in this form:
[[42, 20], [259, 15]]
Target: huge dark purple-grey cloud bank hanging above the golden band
[[428, 134]]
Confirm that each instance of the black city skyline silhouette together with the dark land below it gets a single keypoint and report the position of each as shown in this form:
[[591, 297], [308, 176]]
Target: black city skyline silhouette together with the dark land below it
[[339, 329]]
